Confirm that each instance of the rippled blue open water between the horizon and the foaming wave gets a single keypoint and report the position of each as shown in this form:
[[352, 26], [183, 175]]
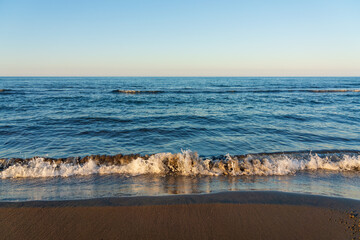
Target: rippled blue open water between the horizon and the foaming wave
[[60, 117]]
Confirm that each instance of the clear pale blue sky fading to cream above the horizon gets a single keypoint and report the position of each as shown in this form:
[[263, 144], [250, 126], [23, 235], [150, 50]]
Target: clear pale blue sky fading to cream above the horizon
[[180, 38]]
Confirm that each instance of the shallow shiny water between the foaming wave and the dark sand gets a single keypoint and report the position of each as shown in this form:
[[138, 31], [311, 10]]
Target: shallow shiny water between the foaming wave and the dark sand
[[346, 184]]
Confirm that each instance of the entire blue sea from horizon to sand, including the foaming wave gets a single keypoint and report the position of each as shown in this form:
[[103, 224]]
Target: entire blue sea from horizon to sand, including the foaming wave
[[66, 138]]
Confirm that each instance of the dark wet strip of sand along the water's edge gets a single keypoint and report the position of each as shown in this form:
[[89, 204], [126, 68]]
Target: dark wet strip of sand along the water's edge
[[227, 197]]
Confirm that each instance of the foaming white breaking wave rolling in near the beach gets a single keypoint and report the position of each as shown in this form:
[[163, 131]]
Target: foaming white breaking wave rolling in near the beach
[[185, 163]]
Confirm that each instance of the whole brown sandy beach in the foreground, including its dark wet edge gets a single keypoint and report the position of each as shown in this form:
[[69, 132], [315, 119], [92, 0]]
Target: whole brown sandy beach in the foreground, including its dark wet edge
[[230, 215]]
